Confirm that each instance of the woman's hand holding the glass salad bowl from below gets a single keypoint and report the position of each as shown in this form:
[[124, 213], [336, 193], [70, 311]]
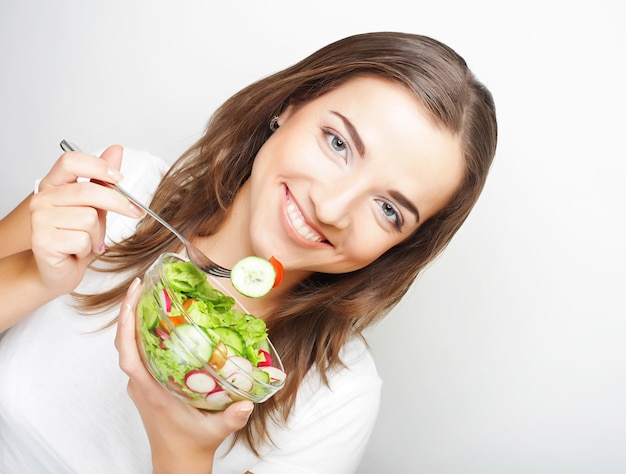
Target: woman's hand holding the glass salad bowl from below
[[182, 438]]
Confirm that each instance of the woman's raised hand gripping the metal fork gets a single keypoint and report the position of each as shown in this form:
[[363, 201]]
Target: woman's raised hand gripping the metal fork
[[68, 216]]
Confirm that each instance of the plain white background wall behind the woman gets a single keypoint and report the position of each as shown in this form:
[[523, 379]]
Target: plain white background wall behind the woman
[[508, 355]]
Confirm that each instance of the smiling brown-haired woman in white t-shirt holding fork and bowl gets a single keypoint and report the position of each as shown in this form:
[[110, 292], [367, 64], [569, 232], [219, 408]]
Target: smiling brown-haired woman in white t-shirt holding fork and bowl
[[354, 167]]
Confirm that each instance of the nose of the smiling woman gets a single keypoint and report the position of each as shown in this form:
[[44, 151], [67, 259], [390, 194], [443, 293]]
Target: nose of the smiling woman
[[335, 202]]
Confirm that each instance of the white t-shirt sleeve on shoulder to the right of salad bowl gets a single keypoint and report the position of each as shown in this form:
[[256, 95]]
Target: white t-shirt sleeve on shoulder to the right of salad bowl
[[331, 426]]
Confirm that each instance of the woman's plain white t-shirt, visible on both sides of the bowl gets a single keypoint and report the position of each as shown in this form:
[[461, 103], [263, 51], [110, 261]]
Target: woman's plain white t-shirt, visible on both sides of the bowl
[[64, 406]]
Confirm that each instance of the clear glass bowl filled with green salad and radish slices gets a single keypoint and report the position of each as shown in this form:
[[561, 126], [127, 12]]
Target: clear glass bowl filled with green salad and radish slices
[[199, 342]]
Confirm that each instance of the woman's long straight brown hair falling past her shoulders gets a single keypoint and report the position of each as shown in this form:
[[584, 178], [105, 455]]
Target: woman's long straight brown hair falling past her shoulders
[[318, 316]]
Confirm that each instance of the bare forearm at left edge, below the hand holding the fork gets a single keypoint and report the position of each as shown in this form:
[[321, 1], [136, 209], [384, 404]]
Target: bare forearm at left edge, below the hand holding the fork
[[21, 288]]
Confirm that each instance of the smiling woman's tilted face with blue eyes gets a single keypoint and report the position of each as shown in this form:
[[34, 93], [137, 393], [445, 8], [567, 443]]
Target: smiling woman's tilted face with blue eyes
[[348, 176]]
